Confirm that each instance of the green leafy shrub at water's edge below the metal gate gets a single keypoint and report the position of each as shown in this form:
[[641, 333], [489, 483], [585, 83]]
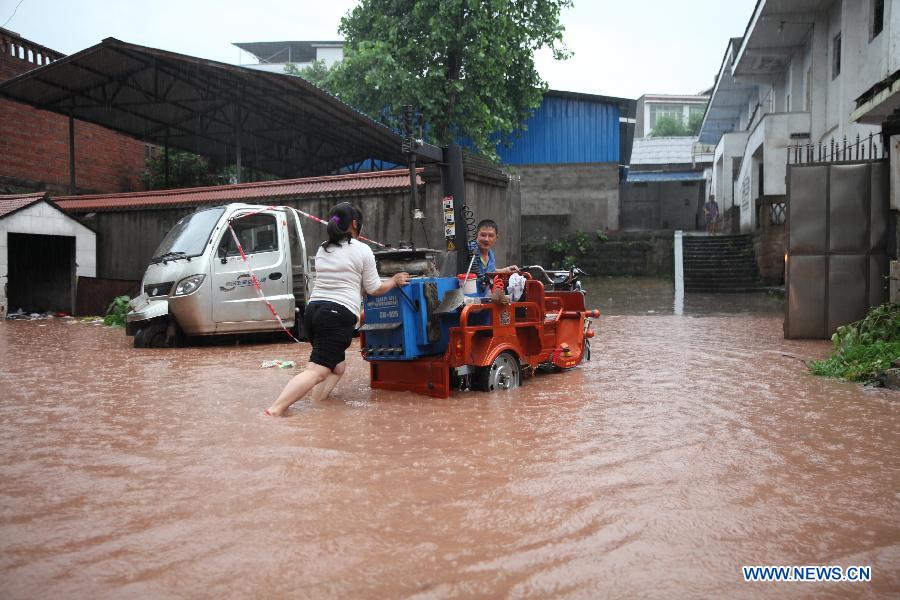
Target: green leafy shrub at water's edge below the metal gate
[[865, 348]]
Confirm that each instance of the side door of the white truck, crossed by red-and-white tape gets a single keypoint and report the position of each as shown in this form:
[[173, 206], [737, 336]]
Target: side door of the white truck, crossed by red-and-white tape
[[236, 303]]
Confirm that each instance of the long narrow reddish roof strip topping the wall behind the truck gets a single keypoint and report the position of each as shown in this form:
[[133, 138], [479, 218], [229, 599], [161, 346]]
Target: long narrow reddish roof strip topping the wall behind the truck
[[261, 192]]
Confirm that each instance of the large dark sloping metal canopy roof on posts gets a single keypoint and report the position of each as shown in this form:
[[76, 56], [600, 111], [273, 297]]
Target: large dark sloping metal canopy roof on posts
[[286, 125]]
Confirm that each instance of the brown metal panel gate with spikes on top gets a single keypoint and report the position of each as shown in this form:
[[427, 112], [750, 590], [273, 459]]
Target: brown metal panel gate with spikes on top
[[837, 237]]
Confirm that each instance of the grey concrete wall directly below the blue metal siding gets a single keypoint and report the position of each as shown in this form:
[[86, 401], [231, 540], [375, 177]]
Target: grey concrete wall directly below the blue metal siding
[[571, 197]]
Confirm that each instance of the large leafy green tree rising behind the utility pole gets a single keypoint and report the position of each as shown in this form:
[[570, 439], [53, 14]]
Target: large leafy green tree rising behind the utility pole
[[467, 65]]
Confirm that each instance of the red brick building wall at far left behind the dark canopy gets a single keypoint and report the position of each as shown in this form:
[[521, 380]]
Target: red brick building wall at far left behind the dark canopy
[[34, 144]]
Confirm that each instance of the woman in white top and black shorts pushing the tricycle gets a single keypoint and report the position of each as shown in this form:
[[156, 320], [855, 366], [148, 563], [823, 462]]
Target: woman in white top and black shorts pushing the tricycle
[[344, 268]]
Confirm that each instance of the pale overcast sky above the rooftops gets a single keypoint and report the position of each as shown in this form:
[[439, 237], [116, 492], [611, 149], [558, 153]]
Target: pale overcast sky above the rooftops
[[622, 48]]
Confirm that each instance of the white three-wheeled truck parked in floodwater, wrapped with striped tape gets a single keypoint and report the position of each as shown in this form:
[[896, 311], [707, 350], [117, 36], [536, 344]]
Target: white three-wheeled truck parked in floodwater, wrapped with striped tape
[[198, 284]]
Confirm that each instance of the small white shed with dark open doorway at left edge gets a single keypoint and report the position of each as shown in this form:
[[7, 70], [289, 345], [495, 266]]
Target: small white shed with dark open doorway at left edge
[[43, 251]]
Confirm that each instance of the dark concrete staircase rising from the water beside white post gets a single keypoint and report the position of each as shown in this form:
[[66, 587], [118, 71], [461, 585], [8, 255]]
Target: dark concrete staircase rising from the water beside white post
[[720, 263]]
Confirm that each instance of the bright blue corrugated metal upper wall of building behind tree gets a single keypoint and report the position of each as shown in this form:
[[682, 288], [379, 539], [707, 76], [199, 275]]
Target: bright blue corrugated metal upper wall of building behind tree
[[570, 127]]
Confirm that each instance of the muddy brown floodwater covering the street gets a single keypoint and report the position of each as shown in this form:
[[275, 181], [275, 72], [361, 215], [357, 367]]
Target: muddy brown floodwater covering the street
[[689, 446]]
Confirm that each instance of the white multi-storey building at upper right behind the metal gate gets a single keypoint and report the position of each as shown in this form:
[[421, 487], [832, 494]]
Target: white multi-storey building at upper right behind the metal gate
[[792, 79]]
